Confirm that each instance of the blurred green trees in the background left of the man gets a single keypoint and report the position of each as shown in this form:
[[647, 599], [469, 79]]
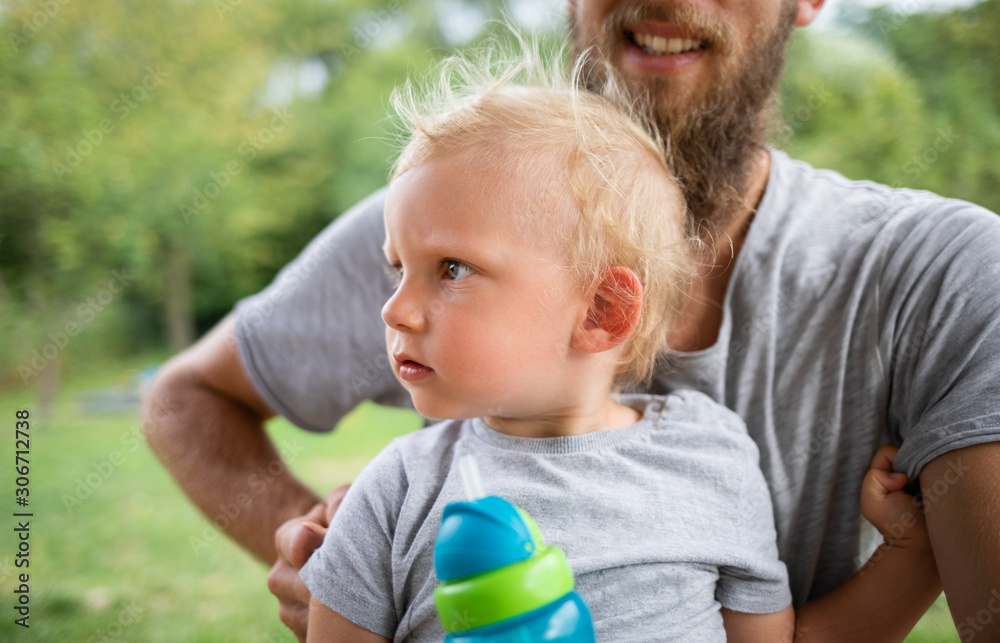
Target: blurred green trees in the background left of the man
[[197, 146]]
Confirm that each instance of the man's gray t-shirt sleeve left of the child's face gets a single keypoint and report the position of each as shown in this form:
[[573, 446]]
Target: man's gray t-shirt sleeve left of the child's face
[[313, 342]]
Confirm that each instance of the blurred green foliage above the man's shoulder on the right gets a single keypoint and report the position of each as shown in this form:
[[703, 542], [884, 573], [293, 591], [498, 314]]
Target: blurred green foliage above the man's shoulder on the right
[[910, 100]]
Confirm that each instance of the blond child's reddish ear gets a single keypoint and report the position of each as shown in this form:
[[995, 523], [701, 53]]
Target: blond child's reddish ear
[[613, 313]]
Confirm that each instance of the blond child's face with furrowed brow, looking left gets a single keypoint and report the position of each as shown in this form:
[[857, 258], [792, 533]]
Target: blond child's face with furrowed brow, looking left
[[482, 320]]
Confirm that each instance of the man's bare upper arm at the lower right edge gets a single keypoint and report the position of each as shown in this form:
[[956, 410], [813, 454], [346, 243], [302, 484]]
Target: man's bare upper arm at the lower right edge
[[961, 494]]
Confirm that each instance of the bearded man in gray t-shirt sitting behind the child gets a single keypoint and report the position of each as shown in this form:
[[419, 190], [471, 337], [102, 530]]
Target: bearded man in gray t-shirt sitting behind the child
[[832, 315]]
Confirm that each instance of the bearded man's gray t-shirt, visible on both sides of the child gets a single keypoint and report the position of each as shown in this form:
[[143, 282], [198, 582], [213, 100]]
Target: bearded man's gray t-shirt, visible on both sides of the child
[[856, 314]]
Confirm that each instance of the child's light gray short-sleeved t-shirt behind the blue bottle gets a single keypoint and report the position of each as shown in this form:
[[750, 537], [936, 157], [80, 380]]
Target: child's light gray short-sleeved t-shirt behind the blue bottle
[[661, 522]]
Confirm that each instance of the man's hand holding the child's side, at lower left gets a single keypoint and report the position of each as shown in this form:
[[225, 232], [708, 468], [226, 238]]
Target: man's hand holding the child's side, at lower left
[[295, 541]]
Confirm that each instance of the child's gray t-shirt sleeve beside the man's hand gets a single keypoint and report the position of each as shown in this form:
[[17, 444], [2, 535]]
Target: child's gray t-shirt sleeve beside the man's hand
[[351, 572]]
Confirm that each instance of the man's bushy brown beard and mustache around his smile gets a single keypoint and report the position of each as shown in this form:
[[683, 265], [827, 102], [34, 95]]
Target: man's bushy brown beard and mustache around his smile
[[713, 140]]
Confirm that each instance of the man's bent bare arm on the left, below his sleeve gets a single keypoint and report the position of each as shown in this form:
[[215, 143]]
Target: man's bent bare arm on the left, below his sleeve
[[204, 420]]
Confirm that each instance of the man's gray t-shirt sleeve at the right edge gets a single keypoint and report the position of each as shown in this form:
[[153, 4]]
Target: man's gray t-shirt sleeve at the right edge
[[945, 370]]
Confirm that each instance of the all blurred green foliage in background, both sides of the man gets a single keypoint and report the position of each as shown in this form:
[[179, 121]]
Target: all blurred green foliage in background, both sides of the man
[[196, 146]]
